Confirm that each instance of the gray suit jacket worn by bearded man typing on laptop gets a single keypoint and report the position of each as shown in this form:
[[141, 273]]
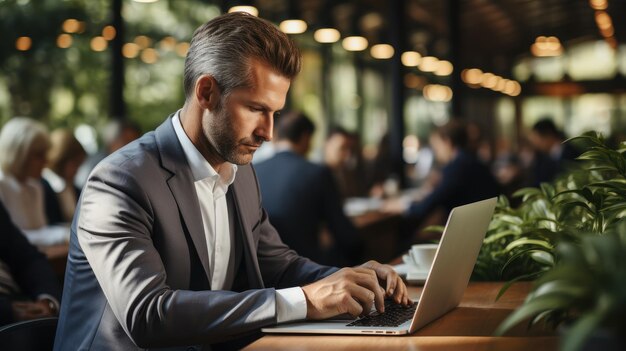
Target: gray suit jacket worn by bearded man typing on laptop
[[137, 273]]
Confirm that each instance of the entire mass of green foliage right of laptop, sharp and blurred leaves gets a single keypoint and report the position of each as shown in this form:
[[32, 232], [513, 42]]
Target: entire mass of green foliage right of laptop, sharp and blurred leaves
[[571, 236]]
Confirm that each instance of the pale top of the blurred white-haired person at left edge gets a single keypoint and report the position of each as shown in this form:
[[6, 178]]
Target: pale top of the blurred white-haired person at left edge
[[23, 201]]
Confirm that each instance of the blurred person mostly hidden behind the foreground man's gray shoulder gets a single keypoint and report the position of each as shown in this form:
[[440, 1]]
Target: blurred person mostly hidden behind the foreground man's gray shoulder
[[115, 134]]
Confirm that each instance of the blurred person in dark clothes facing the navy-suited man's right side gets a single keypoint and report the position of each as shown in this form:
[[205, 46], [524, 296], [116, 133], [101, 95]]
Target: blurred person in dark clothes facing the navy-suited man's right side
[[342, 154]]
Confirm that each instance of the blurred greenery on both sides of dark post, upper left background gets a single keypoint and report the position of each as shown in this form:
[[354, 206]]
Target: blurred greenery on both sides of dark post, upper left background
[[64, 87]]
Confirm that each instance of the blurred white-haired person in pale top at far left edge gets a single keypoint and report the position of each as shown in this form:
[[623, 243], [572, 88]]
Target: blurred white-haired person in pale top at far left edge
[[23, 147]]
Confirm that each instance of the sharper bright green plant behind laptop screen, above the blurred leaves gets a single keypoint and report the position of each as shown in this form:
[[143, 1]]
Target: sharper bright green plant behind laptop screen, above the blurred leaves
[[589, 198]]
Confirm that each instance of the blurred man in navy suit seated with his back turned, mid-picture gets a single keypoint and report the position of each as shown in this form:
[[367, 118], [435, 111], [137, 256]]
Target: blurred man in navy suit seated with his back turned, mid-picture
[[301, 198]]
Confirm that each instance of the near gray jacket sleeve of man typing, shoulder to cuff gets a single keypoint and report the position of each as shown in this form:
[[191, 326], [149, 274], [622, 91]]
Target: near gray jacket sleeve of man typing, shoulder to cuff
[[114, 231]]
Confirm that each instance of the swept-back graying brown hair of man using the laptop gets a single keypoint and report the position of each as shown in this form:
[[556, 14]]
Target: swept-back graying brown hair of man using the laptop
[[224, 46]]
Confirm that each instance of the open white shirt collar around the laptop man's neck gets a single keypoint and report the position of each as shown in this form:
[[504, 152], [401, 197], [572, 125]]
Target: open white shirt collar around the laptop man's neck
[[200, 167]]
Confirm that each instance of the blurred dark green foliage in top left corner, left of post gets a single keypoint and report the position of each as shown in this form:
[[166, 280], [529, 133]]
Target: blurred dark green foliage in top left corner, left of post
[[32, 76]]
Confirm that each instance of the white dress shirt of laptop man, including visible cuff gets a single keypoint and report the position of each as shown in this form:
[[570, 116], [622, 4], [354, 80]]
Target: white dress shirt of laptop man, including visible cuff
[[211, 188]]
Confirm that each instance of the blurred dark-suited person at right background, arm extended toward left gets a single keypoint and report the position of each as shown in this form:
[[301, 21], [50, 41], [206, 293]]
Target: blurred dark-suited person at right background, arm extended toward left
[[464, 178]]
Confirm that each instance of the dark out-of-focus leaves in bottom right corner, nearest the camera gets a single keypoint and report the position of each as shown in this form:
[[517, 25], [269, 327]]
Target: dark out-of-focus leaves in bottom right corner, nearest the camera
[[585, 291]]
